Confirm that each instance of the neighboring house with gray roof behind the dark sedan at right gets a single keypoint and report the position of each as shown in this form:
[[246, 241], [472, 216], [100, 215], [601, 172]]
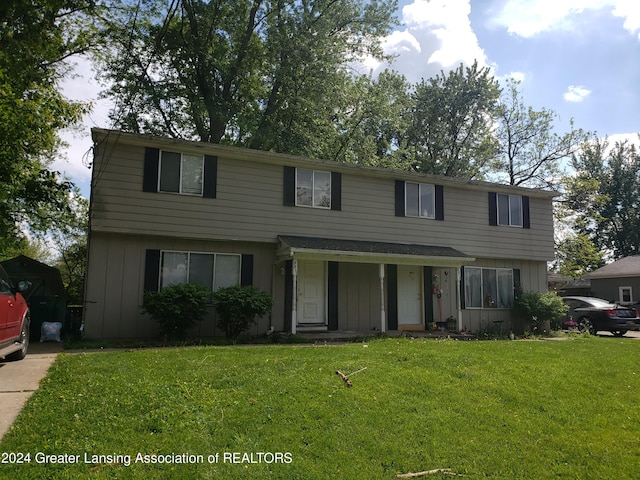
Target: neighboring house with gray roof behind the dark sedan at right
[[618, 282]]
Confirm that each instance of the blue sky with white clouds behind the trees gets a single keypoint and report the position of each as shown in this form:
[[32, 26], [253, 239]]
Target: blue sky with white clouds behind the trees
[[579, 58]]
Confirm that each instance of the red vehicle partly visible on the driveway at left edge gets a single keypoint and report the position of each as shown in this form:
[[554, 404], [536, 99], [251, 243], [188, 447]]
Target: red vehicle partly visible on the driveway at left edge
[[14, 319]]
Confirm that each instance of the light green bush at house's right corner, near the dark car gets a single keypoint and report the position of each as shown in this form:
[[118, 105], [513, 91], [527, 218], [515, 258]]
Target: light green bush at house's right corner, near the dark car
[[535, 308]]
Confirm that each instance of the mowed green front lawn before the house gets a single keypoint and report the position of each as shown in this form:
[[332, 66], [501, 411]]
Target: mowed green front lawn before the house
[[499, 410]]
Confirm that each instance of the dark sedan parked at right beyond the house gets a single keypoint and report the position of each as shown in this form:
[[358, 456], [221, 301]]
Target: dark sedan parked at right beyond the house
[[593, 314]]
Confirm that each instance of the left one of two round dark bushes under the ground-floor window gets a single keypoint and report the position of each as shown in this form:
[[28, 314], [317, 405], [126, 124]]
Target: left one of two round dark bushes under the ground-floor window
[[176, 308]]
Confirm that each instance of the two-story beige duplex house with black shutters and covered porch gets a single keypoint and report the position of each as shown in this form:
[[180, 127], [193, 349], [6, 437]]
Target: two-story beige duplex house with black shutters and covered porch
[[339, 246]]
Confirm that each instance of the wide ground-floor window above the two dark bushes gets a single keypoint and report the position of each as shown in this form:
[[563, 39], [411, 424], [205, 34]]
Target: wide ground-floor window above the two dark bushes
[[212, 270]]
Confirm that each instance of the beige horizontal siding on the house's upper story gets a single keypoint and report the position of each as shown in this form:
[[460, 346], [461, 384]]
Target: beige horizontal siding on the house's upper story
[[249, 206]]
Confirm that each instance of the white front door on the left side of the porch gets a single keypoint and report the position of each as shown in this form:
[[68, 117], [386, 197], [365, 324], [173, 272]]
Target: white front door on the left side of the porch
[[311, 293]]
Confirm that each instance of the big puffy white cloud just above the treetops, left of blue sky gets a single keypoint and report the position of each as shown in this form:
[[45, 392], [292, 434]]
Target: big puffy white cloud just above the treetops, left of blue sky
[[437, 36]]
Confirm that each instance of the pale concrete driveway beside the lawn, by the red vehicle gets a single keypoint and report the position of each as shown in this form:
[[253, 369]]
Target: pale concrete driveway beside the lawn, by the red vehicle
[[18, 380]]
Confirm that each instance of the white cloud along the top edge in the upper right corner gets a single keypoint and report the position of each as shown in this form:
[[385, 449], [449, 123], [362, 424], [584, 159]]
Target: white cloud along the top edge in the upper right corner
[[527, 18]]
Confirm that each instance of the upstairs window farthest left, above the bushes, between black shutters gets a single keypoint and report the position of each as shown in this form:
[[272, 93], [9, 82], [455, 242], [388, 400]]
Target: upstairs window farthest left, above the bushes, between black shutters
[[181, 173]]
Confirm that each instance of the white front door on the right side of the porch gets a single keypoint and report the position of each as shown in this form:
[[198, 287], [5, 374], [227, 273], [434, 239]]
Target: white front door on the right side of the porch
[[410, 298]]
